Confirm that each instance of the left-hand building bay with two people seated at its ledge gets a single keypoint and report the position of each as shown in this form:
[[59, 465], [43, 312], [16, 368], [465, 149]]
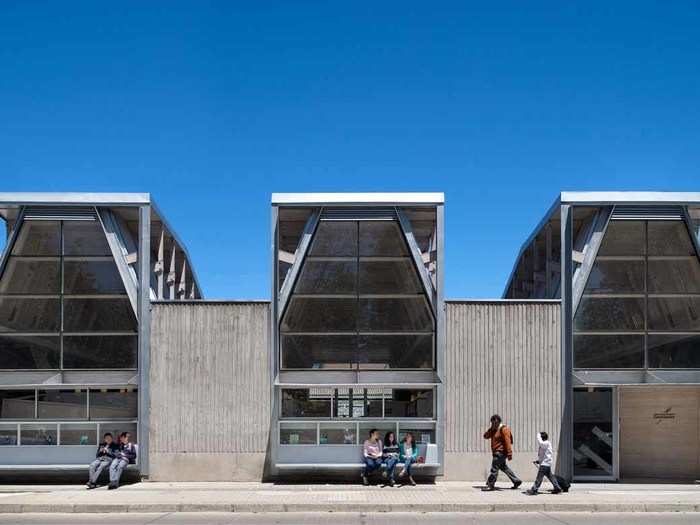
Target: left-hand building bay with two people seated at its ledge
[[77, 274]]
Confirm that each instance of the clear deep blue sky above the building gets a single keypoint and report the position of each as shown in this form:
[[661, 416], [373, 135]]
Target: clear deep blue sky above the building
[[212, 106]]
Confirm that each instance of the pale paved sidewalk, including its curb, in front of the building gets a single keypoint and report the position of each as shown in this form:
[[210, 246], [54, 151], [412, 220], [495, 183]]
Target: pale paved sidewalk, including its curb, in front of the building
[[270, 497]]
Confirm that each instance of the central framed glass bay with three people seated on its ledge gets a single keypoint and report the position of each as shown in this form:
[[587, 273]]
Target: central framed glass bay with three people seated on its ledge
[[357, 328]]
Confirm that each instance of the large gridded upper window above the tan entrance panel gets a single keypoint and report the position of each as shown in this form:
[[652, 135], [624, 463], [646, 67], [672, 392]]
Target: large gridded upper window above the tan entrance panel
[[641, 305]]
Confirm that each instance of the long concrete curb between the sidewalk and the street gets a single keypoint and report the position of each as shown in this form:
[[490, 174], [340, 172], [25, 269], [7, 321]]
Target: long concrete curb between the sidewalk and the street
[[74, 508]]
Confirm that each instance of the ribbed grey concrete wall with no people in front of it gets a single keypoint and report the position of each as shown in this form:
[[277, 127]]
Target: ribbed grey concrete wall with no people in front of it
[[210, 391]]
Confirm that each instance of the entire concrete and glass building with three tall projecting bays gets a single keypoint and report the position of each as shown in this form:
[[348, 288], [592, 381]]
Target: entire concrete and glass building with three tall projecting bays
[[597, 346]]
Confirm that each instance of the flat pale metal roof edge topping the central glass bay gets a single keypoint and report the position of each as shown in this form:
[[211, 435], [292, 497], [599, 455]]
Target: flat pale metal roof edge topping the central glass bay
[[357, 199]]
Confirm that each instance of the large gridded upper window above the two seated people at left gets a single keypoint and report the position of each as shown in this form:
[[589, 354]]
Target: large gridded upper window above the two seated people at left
[[63, 304]]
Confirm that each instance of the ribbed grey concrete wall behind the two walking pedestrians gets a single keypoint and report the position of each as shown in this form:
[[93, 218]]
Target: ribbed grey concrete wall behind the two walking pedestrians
[[500, 357]]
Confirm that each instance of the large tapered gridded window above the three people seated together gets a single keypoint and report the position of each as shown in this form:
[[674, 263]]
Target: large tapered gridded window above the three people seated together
[[358, 302]]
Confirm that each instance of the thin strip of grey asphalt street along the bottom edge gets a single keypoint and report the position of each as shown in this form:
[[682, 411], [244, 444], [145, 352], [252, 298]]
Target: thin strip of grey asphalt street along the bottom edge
[[328, 518]]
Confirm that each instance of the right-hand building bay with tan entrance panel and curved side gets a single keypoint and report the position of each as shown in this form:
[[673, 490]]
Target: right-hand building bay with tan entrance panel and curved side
[[625, 266]]
